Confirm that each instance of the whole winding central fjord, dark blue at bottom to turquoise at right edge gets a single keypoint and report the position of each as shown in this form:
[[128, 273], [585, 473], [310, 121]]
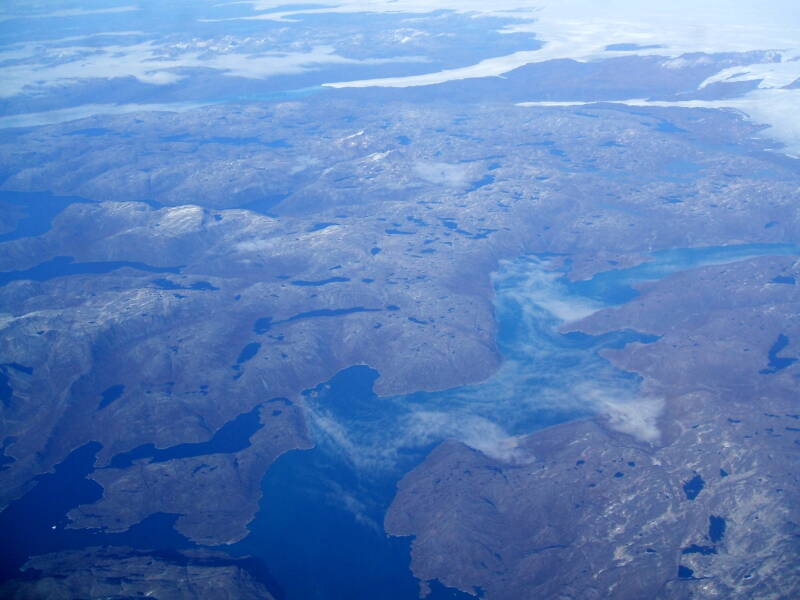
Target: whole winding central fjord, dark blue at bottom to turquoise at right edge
[[320, 526]]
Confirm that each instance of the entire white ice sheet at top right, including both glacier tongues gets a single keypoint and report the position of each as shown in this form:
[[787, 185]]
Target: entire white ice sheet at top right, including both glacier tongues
[[582, 30]]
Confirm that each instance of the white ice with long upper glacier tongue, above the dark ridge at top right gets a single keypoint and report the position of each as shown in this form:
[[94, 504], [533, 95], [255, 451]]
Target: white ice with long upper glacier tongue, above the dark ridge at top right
[[581, 30]]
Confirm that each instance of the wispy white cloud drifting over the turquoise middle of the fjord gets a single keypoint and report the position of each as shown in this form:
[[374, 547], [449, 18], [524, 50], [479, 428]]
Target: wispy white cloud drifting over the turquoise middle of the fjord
[[541, 375]]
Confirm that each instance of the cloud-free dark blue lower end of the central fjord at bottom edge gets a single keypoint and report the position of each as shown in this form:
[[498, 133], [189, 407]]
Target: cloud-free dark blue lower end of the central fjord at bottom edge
[[317, 549]]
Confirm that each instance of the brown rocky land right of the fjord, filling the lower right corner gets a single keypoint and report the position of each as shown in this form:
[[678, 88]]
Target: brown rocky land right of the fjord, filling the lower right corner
[[698, 498]]
